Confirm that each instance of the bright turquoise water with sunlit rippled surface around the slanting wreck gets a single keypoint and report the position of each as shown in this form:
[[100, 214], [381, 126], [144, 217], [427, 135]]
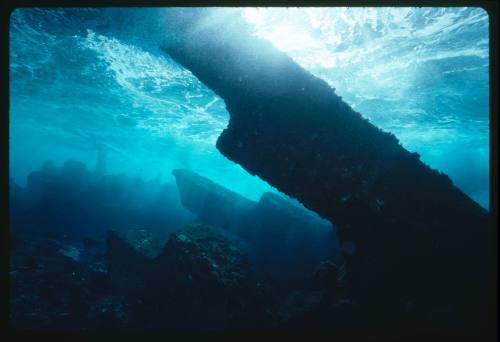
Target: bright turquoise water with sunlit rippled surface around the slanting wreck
[[84, 78]]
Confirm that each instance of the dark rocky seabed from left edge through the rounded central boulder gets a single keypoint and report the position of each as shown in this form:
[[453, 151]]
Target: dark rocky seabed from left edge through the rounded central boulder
[[198, 281]]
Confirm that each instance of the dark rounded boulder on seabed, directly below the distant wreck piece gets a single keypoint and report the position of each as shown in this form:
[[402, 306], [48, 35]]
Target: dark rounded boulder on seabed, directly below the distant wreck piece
[[203, 282]]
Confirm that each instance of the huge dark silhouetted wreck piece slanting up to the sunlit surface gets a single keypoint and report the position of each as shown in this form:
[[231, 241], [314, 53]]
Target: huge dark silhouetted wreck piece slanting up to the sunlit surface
[[423, 249]]
